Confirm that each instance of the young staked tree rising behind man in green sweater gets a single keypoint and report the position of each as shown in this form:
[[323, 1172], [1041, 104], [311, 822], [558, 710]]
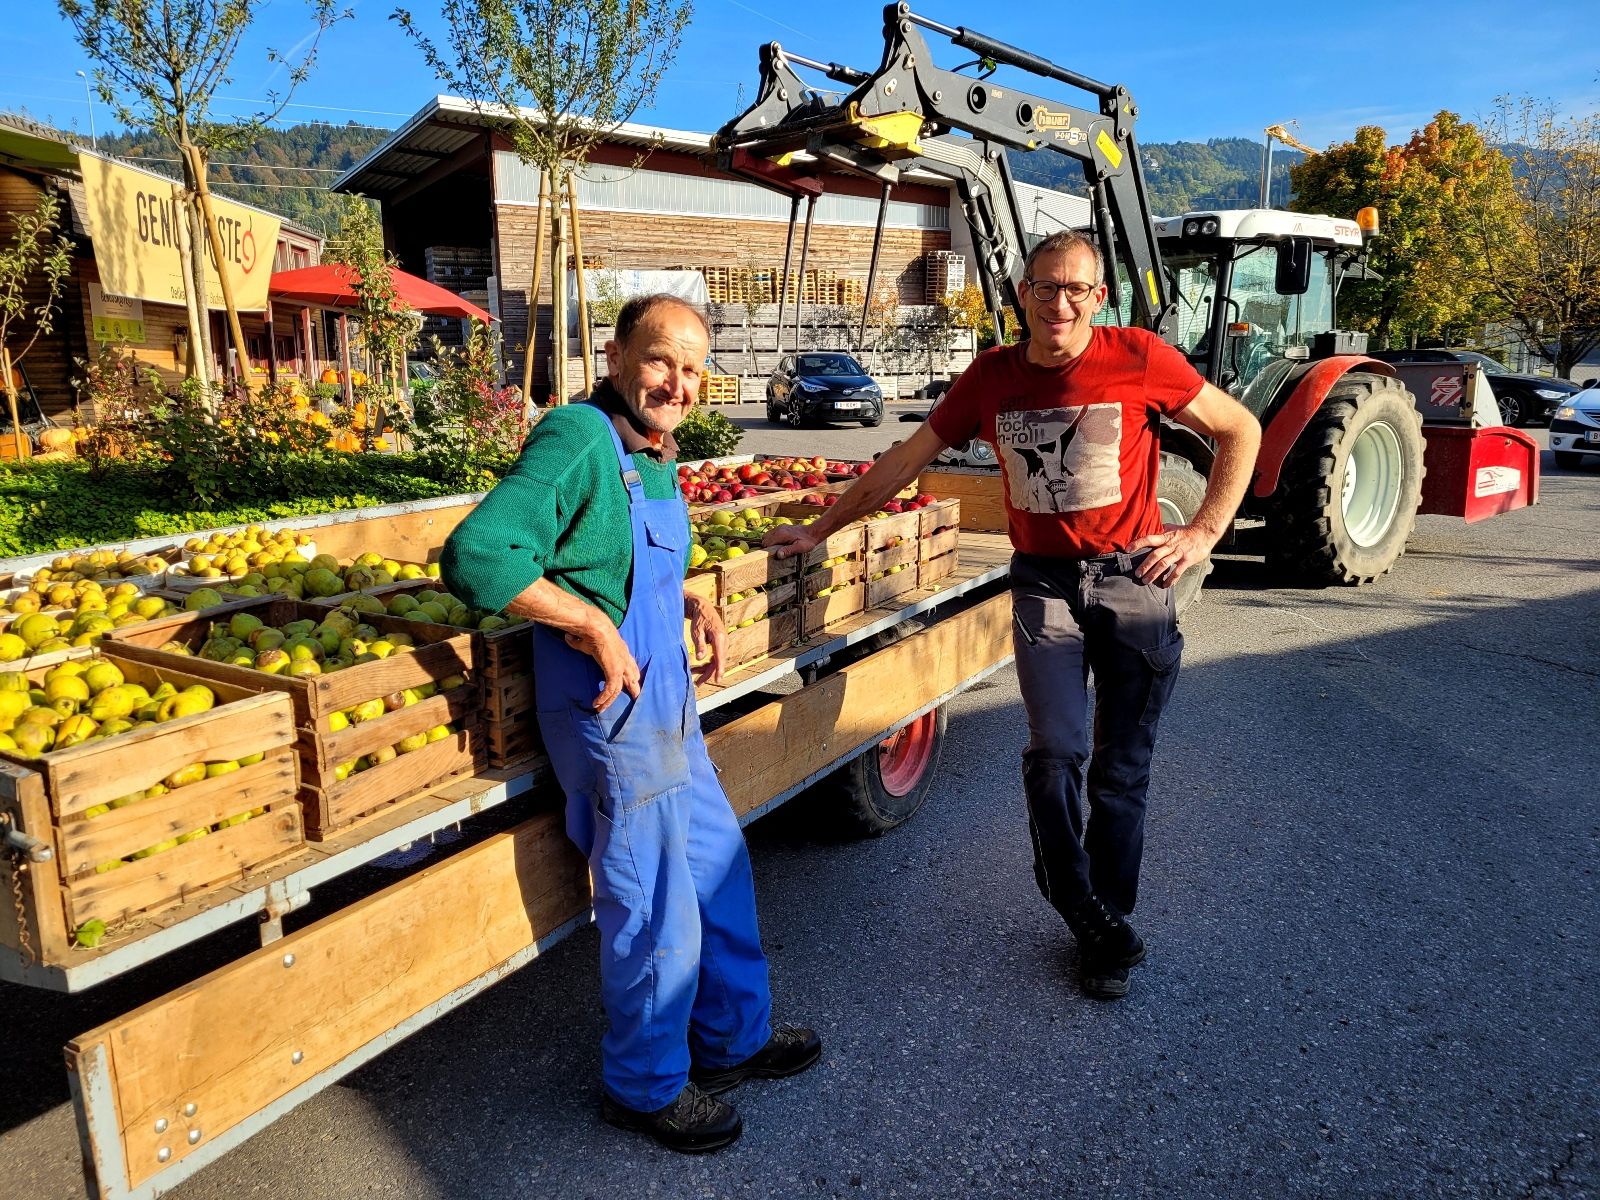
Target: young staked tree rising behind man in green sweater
[[562, 74]]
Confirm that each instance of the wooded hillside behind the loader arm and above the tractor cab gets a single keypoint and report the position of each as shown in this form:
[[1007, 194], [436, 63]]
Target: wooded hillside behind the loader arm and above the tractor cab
[[1182, 177]]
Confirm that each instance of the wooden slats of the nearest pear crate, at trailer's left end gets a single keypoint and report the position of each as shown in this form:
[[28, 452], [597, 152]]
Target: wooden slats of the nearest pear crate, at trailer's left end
[[70, 783]]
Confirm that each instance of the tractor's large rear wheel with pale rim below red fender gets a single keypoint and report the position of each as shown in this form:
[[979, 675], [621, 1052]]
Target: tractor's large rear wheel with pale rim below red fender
[[1351, 487]]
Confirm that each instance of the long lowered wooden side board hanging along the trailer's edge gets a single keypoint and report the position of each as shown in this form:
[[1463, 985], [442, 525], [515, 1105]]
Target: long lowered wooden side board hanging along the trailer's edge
[[342, 993]]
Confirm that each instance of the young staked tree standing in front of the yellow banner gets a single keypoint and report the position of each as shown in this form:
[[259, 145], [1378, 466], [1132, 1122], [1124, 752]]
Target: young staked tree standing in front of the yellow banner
[[161, 66]]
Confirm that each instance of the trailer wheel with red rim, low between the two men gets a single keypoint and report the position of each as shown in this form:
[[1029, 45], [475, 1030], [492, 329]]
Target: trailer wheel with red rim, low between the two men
[[884, 788]]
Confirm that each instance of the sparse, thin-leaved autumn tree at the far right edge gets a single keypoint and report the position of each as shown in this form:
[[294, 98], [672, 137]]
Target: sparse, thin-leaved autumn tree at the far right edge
[[1542, 258]]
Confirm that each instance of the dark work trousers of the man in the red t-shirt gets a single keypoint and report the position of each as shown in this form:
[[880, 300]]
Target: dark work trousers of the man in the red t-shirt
[[1074, 617]]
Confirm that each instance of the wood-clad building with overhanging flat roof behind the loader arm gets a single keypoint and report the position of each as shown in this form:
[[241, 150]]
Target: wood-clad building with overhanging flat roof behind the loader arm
[[460, 207]]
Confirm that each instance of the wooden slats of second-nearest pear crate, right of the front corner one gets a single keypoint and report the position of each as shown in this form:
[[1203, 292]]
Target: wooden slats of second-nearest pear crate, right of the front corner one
[[335, 804]]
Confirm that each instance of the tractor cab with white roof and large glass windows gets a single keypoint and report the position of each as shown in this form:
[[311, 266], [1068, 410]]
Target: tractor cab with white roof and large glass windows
[[1257, 294]]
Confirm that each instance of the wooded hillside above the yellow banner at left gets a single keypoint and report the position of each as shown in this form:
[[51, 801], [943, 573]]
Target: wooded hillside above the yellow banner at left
[[266, 178]]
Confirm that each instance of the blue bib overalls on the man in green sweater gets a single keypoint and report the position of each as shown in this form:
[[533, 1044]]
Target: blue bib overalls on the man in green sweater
[[682, 972]]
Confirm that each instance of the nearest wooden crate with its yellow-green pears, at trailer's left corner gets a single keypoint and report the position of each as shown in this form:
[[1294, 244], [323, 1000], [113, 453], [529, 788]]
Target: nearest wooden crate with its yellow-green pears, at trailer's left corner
[[151, 785]]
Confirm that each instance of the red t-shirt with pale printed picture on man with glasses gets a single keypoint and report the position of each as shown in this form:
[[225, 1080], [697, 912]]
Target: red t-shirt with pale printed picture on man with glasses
[[1078, 444]]
